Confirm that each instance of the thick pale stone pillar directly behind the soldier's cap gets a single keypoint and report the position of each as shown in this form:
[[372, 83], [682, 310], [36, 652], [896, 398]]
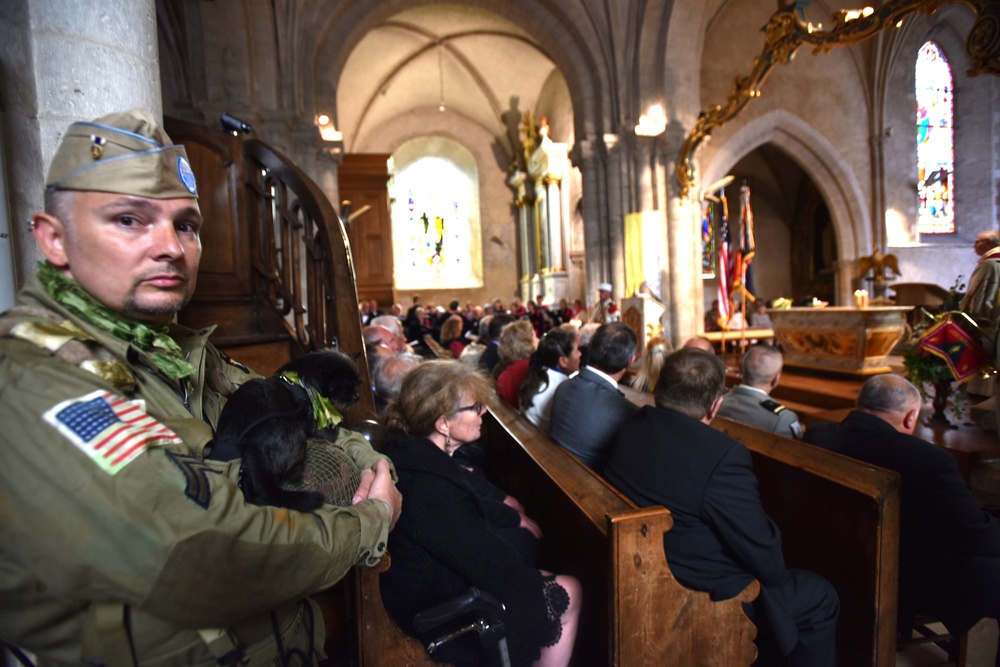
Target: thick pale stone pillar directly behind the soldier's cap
[[67, 61]]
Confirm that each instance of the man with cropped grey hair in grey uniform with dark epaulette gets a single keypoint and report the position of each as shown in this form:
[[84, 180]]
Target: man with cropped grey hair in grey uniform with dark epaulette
[[750, 402]]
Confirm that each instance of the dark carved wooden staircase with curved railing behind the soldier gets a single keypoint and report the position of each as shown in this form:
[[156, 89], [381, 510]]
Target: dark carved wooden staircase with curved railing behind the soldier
[[276, 271]]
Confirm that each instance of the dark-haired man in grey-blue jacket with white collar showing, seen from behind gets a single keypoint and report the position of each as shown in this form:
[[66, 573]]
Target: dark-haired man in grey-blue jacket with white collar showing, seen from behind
[[588, 408]]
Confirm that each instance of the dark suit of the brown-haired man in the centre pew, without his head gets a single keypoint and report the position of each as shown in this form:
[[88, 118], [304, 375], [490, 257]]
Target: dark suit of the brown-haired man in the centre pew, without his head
[[722, 539]]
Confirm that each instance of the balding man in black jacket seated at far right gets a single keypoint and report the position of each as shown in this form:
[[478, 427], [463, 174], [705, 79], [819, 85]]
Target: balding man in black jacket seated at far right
[[949, 548]]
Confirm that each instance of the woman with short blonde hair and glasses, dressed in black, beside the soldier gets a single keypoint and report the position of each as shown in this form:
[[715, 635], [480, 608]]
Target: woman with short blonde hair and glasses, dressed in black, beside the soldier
[[444, 542]]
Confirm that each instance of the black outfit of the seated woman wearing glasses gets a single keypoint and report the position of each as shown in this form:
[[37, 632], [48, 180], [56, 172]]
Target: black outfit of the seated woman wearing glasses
[[444, 543]]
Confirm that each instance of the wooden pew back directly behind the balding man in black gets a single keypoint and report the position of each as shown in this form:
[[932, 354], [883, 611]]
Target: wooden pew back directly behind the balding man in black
[[840, 518]]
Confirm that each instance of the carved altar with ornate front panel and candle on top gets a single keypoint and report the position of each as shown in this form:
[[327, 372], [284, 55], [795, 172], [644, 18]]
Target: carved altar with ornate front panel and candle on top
[[839, 338]]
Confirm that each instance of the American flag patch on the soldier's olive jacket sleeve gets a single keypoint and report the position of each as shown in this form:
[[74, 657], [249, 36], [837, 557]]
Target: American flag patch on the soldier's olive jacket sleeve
[[109, 429]]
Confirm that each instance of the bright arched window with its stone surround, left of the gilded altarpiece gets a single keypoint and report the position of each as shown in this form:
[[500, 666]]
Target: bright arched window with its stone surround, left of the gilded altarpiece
[[436, 227]]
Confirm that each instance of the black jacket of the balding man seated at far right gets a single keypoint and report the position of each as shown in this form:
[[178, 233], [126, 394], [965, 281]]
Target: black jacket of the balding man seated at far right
[[941, 526]]
